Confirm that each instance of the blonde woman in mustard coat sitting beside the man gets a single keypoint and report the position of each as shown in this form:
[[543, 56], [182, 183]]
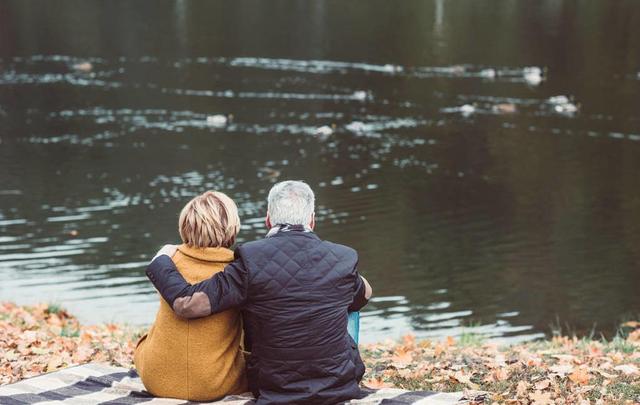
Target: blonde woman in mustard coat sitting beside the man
[[197, 359]]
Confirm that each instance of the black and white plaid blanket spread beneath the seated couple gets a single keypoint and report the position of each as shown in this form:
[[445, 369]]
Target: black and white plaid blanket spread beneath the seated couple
[[92, 384]]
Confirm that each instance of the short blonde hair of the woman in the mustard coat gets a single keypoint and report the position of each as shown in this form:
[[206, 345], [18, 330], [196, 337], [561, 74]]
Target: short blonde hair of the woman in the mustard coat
[[209, 220]]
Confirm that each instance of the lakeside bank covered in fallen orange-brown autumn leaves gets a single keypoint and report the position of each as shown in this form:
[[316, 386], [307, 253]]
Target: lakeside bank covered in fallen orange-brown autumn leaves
[[44, 338]]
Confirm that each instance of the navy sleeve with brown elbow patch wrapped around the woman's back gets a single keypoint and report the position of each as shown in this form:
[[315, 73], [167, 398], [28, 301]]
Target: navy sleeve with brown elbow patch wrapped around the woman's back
[[224, 290]]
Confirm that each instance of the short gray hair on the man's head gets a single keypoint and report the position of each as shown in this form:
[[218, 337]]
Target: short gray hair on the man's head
[[291, 202]]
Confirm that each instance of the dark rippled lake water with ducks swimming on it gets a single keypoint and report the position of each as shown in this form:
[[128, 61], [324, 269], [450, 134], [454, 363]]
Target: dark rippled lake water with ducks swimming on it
[[476, 201]]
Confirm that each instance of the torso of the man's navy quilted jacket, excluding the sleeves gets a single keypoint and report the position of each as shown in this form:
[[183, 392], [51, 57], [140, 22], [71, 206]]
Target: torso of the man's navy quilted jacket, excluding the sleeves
[[300, 289]]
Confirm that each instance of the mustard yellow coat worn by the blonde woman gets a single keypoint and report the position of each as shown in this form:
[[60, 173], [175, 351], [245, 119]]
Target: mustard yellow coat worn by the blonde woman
[[199, 359]]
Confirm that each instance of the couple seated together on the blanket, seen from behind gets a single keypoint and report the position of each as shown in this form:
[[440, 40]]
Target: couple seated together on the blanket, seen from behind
[[285, 299]]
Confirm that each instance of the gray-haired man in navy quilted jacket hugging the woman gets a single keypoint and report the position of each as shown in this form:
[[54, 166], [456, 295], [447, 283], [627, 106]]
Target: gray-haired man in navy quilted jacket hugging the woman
[[295, 290]]
